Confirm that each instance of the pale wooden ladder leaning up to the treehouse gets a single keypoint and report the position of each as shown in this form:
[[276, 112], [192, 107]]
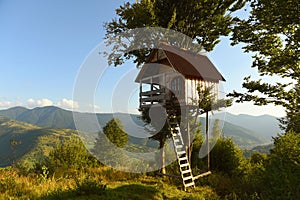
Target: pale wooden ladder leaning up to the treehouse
[[184, 165]]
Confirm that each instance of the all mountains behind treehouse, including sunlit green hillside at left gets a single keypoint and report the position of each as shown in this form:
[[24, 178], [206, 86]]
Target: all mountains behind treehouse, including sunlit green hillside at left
[[28, 132]]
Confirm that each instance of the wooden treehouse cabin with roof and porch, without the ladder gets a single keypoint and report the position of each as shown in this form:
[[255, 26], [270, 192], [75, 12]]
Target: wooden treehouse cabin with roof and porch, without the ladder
[[170, 77]]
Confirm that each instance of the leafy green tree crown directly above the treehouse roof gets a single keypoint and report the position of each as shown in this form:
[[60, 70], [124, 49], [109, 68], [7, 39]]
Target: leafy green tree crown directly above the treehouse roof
[[205, 22]]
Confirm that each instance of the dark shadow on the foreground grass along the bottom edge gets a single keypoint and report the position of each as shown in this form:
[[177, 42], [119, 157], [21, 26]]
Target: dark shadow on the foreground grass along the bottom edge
[[131, 191]]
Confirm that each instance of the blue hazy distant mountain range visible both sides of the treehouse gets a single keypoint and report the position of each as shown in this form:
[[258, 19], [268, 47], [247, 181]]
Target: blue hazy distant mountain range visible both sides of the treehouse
[[247, 131]]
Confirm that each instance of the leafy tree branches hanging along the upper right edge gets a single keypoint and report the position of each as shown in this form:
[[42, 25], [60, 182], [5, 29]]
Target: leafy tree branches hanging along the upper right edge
[[272, 33]]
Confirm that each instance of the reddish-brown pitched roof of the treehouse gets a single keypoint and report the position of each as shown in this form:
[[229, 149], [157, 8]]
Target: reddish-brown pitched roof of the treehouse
[[190, 64]]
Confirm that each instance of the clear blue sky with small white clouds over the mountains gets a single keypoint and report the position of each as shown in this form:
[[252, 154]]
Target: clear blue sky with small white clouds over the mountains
[[44, 45]]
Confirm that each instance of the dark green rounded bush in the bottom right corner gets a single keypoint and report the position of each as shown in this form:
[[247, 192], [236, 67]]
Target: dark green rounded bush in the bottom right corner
[[281, 177]]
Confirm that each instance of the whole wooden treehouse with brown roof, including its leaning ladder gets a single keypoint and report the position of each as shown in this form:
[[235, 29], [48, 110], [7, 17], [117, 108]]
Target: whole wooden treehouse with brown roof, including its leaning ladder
[[170, 78]]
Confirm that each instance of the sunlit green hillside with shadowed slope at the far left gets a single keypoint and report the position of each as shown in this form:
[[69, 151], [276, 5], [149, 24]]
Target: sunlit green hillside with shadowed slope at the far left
[[19, 140]]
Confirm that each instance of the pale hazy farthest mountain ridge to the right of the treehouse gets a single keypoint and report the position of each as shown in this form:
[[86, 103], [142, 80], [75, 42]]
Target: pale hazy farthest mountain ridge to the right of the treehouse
[[266, 126]]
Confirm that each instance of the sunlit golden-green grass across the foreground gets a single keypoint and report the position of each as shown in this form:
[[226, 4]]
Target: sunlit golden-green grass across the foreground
[[97, 183]]
